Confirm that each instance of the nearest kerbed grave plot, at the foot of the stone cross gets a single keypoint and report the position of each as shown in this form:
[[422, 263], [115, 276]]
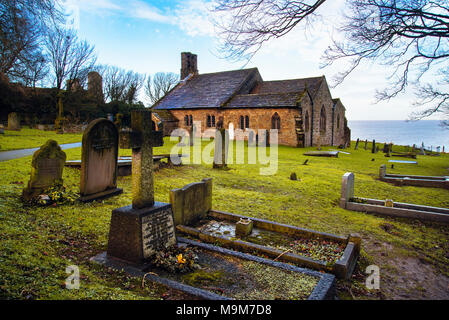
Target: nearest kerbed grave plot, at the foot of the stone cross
[[233, 276]]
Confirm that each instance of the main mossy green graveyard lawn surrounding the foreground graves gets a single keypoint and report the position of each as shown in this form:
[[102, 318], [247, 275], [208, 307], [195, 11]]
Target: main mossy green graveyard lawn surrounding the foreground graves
[[37, 244]]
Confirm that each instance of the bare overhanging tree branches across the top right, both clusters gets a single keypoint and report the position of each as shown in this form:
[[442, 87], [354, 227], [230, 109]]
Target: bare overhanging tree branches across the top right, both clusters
[[411, 37]]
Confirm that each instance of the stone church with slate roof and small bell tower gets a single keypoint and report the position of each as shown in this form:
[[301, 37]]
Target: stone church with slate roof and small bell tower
[[303, 110]]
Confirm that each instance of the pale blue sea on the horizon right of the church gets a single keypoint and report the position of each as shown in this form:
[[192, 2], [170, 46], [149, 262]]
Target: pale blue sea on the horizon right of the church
[[401, 132]]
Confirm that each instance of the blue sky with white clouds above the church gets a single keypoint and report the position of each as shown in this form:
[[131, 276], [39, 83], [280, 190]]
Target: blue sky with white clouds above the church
[[148, 36]]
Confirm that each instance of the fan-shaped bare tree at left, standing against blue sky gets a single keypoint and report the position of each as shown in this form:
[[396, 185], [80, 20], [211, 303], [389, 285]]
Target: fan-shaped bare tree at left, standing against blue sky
[[69, 57]]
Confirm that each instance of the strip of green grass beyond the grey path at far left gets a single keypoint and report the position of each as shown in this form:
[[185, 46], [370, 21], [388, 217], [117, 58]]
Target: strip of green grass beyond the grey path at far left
[[32, 138]]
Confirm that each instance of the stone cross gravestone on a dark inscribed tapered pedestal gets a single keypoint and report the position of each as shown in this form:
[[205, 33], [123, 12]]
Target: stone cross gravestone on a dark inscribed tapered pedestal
[[139, 230]]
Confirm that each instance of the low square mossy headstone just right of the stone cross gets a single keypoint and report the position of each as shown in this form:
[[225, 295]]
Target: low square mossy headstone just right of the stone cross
[[192, 202]]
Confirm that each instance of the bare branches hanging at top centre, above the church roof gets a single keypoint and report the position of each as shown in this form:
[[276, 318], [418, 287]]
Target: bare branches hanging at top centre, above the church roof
[[245, 25]]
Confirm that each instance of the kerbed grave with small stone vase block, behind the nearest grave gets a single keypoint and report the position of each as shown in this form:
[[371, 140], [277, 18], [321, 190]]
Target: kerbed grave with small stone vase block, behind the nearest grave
[[279, 242]]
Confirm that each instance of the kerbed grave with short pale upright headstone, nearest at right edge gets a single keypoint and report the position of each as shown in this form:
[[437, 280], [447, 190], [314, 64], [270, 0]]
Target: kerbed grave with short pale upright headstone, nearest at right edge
[[401, 210]]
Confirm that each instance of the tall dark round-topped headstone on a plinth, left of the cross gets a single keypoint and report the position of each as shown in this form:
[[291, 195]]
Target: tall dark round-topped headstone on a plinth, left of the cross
[[99, 161]]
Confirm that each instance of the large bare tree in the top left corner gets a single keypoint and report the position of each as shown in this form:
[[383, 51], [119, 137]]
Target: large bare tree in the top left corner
[[22, 26]]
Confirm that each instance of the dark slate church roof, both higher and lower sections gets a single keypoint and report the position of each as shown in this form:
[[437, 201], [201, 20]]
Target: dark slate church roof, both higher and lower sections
[[236, 89]]
